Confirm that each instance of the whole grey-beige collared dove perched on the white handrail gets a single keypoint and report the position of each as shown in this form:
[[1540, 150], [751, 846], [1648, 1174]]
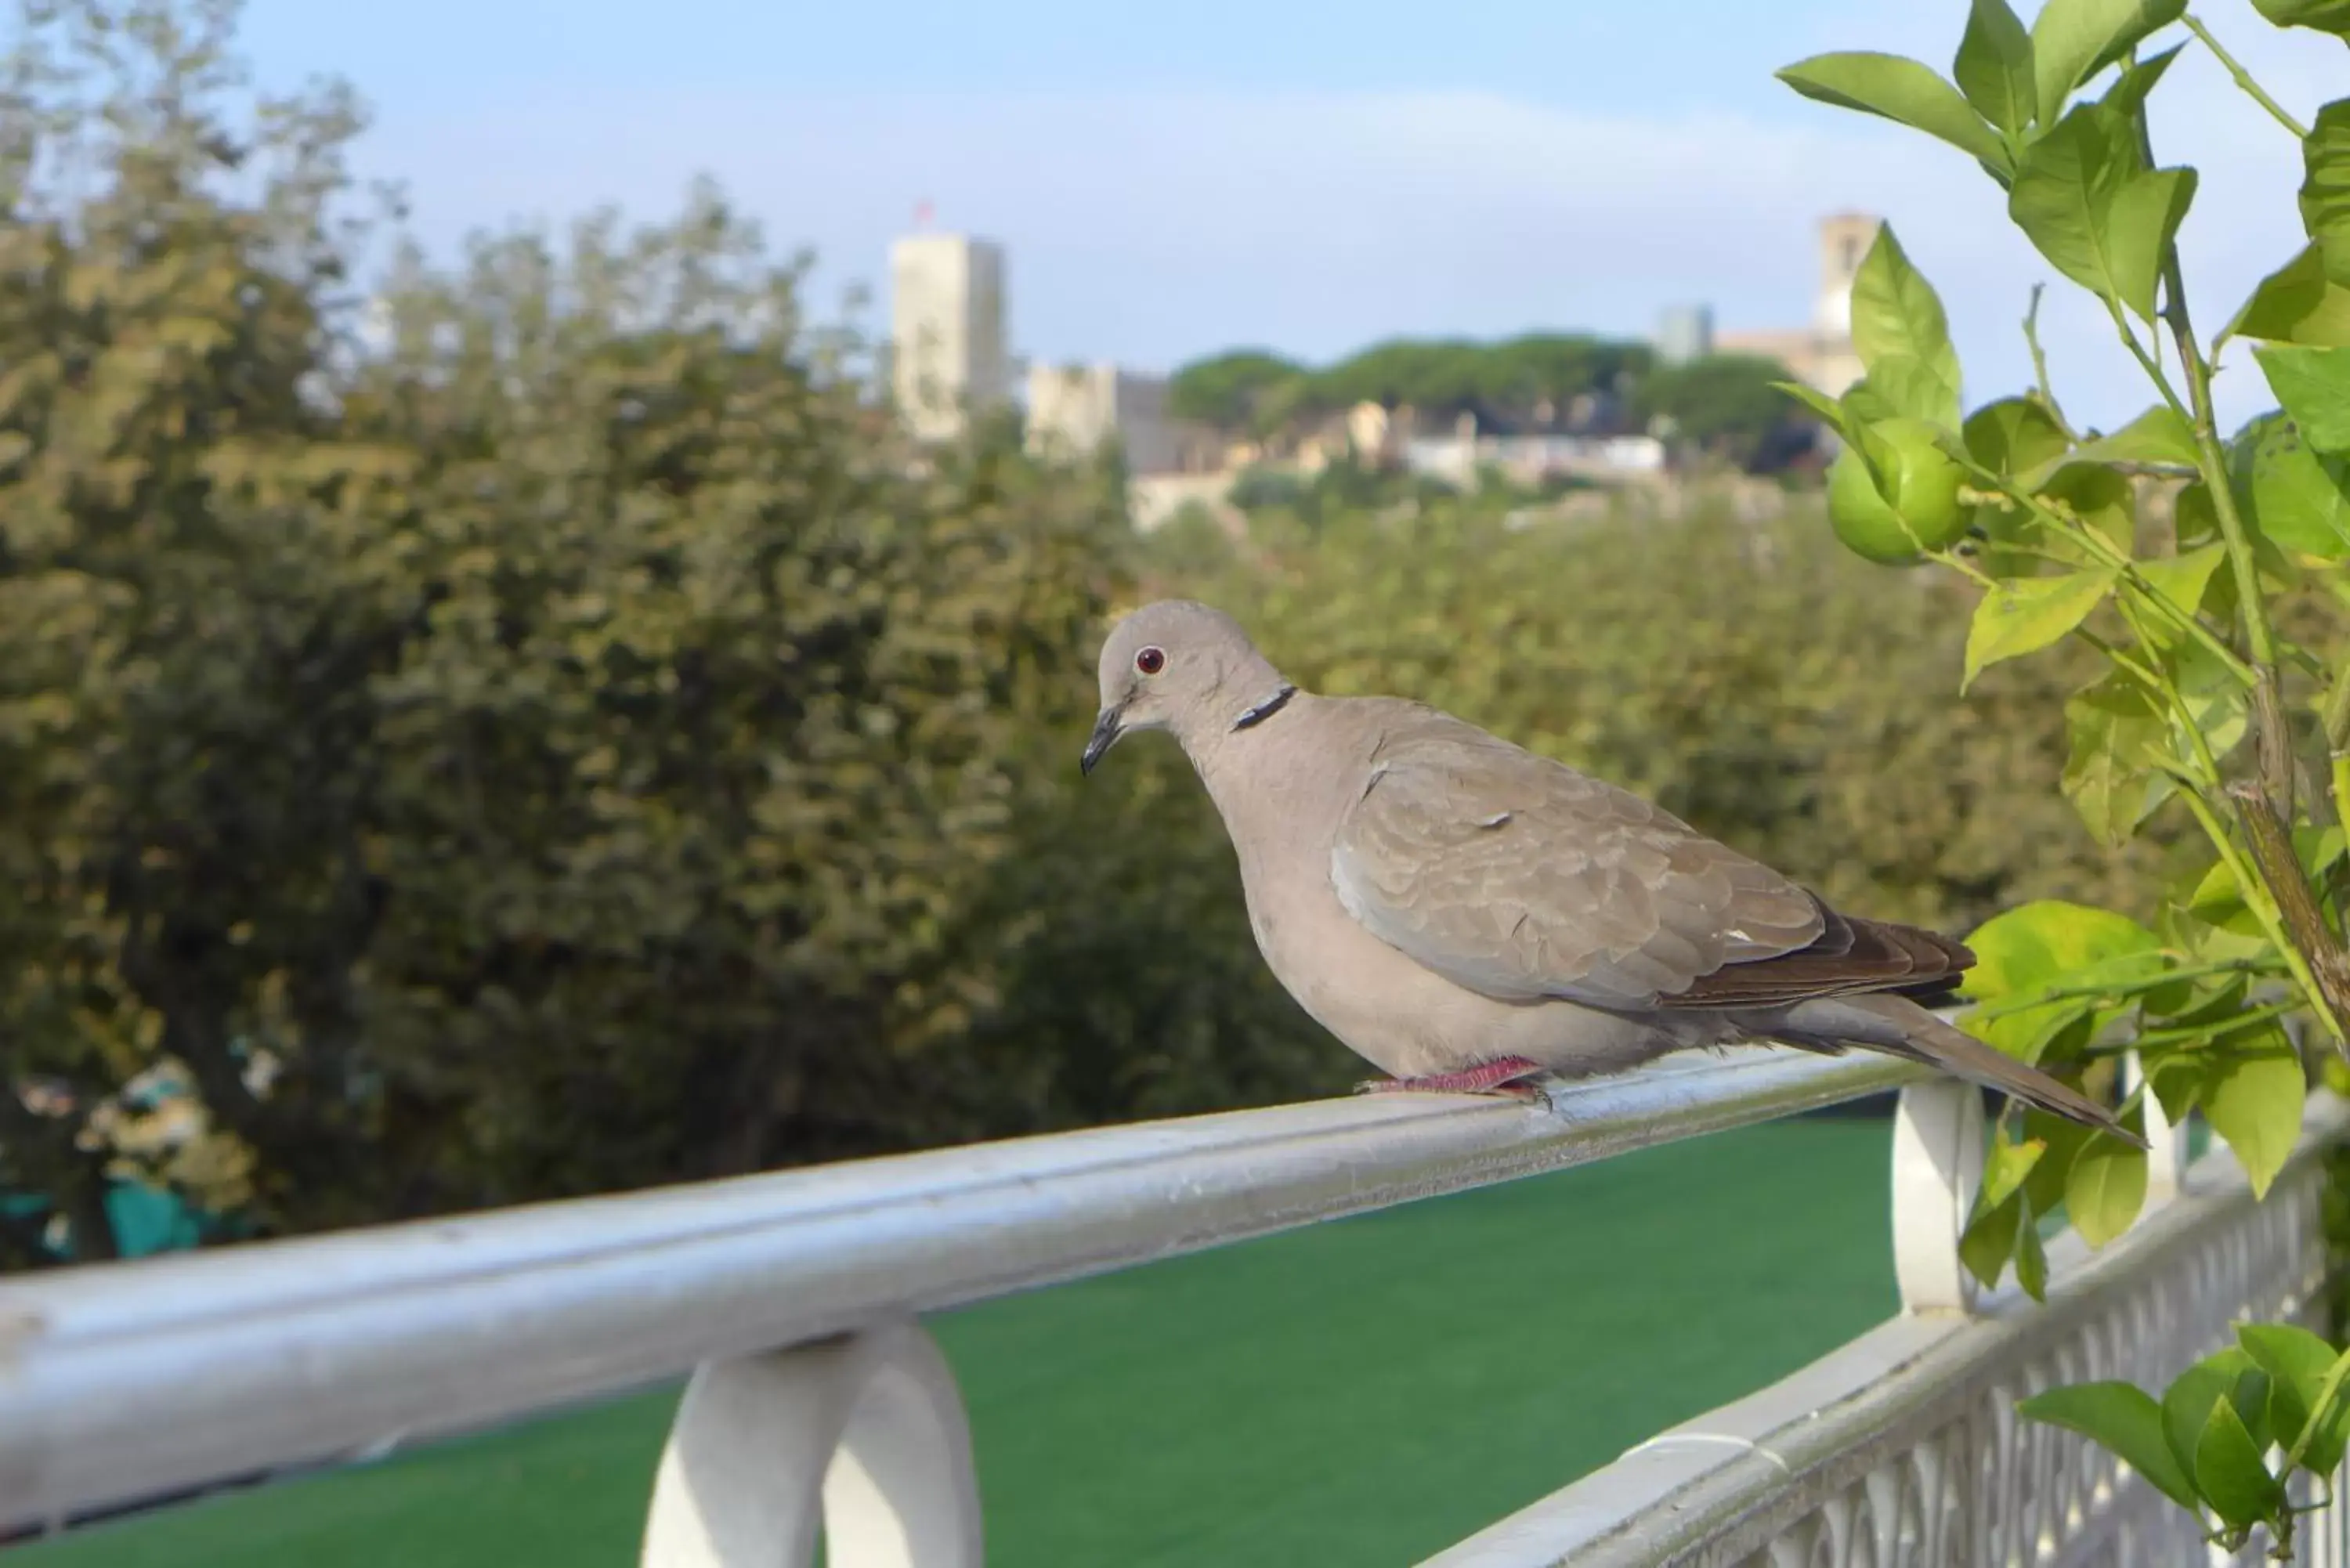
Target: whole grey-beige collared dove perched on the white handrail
[[1468, 916]]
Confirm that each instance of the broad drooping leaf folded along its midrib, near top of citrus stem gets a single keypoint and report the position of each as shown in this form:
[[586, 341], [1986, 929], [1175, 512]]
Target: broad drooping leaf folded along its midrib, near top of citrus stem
[[2095, 210]]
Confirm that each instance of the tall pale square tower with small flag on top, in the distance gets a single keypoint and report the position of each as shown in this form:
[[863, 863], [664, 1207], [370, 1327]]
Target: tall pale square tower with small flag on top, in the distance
[[948, 337]]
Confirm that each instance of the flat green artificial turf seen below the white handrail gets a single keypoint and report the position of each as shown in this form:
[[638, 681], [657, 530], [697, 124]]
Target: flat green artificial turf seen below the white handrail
[[1350, 1395]]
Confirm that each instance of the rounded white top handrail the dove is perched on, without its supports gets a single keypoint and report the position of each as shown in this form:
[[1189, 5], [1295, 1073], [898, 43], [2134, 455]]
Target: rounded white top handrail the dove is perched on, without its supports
[[140, 1379]]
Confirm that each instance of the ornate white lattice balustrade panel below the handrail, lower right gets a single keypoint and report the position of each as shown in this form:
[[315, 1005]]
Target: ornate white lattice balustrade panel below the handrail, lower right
[[1905, 1447]]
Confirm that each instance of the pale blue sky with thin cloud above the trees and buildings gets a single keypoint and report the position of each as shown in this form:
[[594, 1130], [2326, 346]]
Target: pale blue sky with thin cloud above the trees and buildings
[[1308, 177]]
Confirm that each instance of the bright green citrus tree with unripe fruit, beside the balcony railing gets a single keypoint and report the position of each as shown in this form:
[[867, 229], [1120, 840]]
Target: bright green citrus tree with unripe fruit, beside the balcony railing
[[2220, 699]]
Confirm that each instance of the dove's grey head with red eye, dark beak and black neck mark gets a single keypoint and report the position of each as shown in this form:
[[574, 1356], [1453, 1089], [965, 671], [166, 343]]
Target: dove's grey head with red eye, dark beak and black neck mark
[[1183, 669]]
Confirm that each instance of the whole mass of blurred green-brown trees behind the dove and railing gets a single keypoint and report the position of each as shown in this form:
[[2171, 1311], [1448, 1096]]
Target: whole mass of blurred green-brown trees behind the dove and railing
[[537, 728]]
